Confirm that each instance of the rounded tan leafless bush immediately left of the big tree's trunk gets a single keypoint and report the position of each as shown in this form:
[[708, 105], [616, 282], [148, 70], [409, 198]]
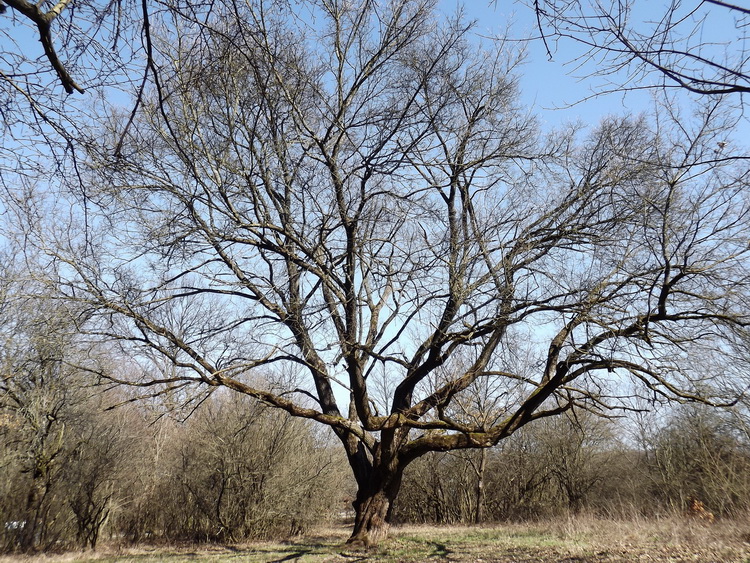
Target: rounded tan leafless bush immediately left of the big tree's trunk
[[247, 471]]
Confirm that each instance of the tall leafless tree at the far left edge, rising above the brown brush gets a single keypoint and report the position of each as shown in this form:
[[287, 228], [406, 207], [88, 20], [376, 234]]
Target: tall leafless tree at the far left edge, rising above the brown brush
[[60, 455]]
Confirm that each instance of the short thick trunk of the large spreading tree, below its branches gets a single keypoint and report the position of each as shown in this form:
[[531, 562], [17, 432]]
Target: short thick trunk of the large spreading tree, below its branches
[[373, 507]]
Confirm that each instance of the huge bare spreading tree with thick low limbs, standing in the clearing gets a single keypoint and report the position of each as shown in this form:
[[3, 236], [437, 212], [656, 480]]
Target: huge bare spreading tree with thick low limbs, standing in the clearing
[[307, 201]]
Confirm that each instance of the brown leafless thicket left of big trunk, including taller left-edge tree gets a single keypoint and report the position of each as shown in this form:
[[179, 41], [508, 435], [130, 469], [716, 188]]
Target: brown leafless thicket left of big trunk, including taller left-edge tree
[[81, 460]]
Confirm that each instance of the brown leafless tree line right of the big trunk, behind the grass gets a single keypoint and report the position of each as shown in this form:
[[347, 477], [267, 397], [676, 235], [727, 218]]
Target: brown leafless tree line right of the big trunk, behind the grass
[[611, 469]]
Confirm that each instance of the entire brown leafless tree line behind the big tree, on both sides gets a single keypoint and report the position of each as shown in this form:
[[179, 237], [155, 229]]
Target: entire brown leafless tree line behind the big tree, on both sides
[[77, 471]]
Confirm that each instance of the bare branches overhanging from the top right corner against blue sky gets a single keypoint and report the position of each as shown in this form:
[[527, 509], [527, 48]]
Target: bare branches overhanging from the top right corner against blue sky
[[698, 46]]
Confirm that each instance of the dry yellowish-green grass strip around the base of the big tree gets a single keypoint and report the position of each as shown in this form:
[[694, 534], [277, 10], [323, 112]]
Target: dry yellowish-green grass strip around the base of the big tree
[[574, 540]]
